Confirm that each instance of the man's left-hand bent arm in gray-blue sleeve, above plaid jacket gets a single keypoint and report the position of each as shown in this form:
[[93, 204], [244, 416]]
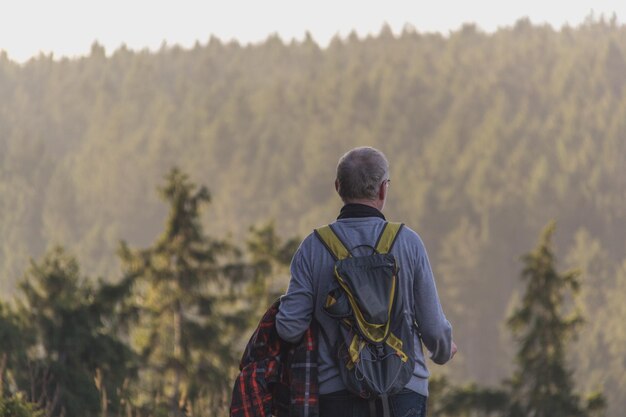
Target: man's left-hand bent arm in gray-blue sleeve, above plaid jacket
[[296, 306]]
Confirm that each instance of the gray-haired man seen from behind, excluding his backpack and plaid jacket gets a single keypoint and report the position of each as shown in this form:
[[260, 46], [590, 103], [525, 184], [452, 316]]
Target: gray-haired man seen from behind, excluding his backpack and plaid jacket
[[363, 183]]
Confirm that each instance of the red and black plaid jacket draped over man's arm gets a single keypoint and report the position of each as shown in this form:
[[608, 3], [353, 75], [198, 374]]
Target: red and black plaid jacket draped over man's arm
[[277, 378]]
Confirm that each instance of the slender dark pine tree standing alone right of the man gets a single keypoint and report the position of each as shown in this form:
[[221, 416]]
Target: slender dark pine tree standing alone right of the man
[[542, 385]]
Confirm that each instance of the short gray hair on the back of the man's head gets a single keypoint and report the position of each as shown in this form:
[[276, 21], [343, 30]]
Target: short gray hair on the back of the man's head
[[360, 172]]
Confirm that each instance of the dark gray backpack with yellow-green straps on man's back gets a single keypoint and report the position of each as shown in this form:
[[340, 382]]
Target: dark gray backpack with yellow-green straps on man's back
[[375, 347]]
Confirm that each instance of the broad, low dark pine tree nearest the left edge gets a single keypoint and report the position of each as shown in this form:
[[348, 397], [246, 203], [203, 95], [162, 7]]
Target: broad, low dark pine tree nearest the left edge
[[76, 365]]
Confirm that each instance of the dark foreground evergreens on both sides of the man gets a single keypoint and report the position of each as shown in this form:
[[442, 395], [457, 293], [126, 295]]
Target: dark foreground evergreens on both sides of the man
[[164, 339]]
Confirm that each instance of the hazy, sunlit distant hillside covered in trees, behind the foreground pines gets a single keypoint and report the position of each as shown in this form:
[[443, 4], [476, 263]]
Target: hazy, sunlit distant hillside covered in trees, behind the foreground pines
[[489, 136]]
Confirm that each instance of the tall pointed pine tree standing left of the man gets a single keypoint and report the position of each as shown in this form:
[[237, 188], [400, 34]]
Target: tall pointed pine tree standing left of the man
[[189, 289]]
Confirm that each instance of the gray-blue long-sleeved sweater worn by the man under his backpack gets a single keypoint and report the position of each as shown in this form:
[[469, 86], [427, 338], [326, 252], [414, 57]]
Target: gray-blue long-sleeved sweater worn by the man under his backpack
[[311, 275]]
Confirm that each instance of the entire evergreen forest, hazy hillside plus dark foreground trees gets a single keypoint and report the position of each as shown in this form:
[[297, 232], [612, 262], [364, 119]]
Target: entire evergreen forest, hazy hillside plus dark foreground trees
[[150, 202]]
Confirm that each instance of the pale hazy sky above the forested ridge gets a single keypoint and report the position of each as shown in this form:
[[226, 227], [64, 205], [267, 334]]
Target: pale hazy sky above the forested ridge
[[69, 27]]
